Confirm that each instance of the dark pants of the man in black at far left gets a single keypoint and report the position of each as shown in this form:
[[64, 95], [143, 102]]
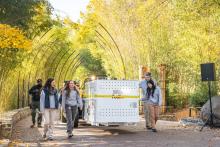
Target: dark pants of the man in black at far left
[[34, 106]]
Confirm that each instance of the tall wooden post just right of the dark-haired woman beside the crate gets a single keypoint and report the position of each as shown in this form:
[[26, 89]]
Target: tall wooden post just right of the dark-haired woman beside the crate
[[163, 86]]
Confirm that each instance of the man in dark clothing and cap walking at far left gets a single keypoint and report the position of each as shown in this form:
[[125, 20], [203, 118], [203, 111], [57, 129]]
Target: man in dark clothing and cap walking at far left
[[35, 104]]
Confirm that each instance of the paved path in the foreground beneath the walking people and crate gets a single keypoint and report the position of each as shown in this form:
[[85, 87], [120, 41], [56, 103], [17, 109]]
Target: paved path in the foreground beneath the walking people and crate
[[170, 134]]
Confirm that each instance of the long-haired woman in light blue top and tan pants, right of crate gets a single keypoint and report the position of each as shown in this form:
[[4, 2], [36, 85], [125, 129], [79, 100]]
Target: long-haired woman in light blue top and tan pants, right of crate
[[154, 98]]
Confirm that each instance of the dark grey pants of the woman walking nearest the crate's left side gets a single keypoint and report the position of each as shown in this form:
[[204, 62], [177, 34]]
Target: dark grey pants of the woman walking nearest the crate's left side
[[71, 112]]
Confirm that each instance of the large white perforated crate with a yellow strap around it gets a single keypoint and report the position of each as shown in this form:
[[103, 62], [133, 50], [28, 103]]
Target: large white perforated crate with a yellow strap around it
[[112, 102]]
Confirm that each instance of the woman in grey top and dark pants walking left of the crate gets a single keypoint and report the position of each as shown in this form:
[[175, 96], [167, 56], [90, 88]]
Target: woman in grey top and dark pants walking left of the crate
[[70, 103]]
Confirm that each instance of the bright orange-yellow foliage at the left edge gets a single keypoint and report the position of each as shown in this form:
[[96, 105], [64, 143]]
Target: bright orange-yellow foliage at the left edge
[[13, 38]]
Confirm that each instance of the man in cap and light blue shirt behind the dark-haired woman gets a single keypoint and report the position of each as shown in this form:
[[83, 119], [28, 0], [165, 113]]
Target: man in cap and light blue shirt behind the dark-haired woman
[[143, 87]]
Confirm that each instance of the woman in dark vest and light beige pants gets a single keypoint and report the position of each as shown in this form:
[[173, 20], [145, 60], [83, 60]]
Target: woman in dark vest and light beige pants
[[48, 107]]
